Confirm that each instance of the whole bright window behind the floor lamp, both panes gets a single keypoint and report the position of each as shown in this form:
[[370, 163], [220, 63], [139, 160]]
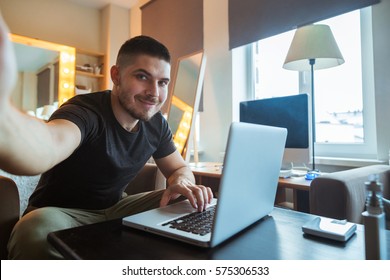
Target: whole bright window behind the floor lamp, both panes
[[342, 115]]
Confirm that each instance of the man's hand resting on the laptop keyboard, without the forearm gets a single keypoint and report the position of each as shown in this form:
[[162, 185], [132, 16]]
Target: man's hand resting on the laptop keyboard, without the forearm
[[198, 195]]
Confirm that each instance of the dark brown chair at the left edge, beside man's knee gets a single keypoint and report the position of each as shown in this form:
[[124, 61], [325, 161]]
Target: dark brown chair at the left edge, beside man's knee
[[9, 212]]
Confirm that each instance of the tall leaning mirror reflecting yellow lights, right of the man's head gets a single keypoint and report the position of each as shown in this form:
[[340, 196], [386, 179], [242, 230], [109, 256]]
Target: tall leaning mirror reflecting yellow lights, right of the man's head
[[184, 104]]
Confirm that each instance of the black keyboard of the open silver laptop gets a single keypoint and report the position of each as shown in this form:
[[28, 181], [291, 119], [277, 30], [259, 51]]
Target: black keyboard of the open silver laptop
[[197, 222]]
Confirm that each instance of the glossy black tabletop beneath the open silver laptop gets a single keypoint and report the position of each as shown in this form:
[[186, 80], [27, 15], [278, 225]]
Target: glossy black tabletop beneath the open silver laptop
[[277, 236]]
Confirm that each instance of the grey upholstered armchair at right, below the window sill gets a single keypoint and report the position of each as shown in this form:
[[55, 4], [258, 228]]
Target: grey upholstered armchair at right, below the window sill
[[342, 195]]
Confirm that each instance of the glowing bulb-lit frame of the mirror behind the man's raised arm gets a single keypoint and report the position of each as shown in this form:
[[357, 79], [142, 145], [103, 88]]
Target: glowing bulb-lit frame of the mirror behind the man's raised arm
[[66, 79]]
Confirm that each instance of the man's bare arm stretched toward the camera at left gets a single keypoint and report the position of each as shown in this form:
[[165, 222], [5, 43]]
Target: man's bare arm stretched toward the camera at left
[[28, 145]]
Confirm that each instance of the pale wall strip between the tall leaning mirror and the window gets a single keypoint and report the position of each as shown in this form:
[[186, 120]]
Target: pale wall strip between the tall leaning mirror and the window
[[217, 89]]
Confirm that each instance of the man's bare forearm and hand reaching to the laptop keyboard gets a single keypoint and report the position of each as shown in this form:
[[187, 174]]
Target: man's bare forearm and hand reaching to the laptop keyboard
[[181, 181]]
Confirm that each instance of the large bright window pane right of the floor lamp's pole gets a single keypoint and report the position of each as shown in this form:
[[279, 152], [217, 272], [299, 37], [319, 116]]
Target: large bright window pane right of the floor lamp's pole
[[339, 98]]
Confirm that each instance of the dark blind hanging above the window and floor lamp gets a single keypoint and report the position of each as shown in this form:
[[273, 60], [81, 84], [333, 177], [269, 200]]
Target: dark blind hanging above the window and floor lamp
[[253, 20]]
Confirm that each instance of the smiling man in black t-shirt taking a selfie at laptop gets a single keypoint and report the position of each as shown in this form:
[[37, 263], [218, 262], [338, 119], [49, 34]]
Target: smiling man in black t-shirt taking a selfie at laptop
[[92, 147]]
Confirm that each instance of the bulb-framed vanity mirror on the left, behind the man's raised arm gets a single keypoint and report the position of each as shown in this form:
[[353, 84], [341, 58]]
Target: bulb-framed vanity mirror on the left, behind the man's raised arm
[[45, 75]]
